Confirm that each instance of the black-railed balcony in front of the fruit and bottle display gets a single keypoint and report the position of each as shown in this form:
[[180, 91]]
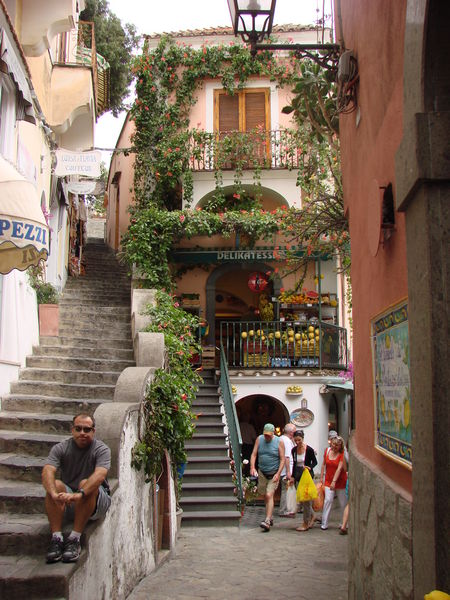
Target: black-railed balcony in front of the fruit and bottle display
[[283, 345]]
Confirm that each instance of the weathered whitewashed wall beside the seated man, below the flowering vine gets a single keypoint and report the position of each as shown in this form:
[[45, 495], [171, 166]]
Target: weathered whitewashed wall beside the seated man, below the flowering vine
[[121, 550]]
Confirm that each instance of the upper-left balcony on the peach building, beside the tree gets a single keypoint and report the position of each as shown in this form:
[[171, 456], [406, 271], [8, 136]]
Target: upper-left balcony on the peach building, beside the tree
[[77, 48]]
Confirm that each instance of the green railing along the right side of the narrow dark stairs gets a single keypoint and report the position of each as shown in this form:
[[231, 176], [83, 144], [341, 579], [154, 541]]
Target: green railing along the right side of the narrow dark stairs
[[234, 433]]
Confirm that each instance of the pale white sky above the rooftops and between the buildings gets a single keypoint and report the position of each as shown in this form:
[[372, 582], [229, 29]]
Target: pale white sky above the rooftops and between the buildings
[[154, 16]]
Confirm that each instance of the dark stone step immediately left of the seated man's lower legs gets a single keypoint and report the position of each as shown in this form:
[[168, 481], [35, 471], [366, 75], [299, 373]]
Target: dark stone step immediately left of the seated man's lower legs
[[24, 534]]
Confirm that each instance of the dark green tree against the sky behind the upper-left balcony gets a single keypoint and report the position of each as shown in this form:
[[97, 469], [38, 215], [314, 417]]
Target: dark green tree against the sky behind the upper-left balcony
[[116, 44]]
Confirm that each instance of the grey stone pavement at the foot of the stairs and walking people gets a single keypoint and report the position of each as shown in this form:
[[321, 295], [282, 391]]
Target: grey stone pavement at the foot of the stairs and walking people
[[245, 563]]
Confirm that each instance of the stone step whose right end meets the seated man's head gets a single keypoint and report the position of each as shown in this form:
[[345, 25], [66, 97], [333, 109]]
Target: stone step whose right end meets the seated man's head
[[28, 421]]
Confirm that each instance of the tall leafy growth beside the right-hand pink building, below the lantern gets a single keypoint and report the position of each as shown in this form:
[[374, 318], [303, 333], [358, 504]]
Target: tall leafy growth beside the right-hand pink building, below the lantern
[[321, 224]]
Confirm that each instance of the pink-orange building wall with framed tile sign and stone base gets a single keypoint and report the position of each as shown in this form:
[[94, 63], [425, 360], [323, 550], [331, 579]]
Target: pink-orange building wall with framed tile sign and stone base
[[395, 160]]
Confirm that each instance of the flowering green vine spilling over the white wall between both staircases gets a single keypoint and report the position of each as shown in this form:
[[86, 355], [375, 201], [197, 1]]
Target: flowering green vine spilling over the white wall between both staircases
[[169, 420]]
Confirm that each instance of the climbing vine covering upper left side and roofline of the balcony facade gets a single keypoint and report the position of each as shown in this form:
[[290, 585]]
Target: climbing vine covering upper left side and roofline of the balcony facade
[[167, 79]]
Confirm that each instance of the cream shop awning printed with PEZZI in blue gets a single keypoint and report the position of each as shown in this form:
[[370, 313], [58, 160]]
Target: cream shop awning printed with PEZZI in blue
[[23, 230]]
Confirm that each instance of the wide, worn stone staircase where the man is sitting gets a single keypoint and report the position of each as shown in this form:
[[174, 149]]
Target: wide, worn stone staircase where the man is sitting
[[68, 374]]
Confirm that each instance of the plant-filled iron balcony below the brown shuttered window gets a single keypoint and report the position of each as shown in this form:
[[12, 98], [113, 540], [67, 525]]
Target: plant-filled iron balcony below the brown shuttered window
[[257, 149]]
